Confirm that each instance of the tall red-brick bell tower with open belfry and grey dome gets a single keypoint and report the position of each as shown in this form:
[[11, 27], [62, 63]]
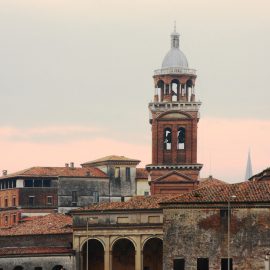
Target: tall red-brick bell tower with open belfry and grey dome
[[174, 115]]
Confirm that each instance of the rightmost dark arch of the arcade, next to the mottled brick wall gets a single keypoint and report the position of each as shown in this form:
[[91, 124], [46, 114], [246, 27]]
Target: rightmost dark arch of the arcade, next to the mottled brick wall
[[152, 254]]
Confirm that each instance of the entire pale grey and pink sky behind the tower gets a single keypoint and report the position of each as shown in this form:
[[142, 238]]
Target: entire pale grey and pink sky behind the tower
[[76, 79]]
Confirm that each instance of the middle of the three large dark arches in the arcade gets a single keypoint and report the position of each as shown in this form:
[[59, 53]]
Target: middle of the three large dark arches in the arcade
[[123, 255]]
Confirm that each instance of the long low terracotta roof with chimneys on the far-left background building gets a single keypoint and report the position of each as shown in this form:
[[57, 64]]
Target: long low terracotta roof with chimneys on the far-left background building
[[58, 171]]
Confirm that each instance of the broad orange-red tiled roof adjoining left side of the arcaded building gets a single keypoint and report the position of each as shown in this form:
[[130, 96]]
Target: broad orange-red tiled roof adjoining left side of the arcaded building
[[49, 224]]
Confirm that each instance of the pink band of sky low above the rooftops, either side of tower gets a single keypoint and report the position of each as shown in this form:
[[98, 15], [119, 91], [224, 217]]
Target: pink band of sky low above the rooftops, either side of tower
[[223, 145]]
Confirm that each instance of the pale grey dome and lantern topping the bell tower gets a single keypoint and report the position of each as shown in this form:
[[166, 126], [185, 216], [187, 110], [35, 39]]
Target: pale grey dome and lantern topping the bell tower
[[175, 57]]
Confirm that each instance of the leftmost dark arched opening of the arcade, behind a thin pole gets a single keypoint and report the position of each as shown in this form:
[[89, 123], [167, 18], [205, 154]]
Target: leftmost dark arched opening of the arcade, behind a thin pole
[[93, 255]]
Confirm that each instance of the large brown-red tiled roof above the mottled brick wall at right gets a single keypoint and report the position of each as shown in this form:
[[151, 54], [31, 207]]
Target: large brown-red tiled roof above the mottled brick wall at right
[[246, 192]]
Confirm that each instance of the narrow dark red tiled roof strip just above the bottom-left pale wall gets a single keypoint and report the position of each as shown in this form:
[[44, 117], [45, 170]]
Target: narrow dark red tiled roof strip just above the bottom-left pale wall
[[34, 250]]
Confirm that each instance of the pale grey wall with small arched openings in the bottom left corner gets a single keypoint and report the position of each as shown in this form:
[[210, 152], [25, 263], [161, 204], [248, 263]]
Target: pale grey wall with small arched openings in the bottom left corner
[[46, 262]]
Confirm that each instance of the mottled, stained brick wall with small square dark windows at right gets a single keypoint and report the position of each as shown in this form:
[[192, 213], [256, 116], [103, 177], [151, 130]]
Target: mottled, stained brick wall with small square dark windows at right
[[193, 233]]
